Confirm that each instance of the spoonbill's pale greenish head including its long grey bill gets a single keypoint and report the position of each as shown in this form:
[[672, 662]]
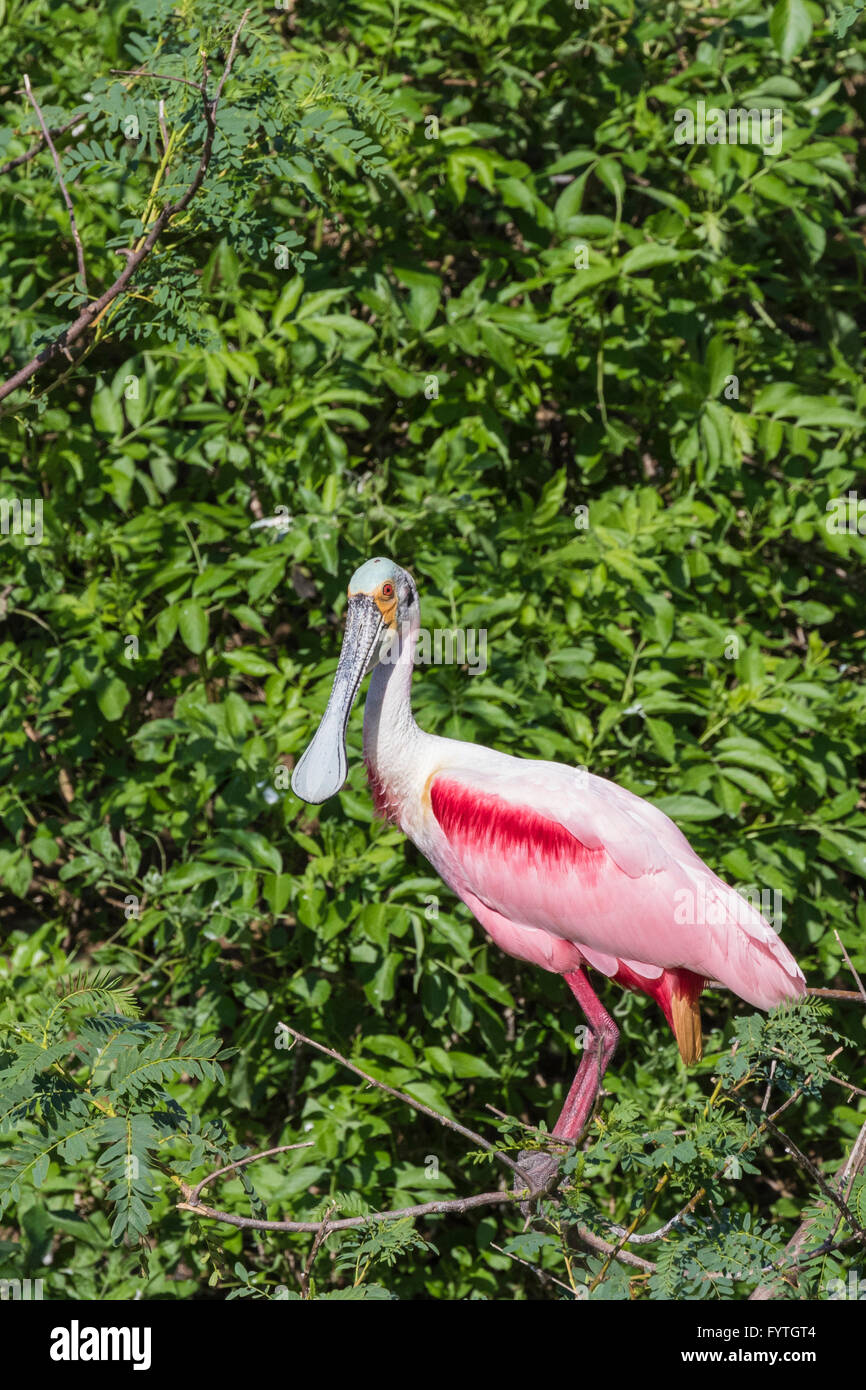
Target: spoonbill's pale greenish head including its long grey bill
[[383, 598]]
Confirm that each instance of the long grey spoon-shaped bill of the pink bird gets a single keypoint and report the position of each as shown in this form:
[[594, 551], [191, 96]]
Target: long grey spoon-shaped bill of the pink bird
[[323, 769]]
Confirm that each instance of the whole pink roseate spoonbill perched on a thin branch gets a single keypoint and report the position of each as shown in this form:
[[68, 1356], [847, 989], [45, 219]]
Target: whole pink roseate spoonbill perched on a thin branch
[[561, 868]]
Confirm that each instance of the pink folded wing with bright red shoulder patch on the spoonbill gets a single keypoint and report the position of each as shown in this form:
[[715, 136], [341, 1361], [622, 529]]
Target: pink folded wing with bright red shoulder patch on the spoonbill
[[559, 865]]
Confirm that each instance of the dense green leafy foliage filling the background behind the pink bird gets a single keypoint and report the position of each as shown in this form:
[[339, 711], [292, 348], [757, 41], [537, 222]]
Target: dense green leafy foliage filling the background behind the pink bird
[[451, 293]]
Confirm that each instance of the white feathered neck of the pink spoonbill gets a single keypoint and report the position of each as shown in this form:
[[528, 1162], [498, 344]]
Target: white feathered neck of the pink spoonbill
[[390, 729]]
